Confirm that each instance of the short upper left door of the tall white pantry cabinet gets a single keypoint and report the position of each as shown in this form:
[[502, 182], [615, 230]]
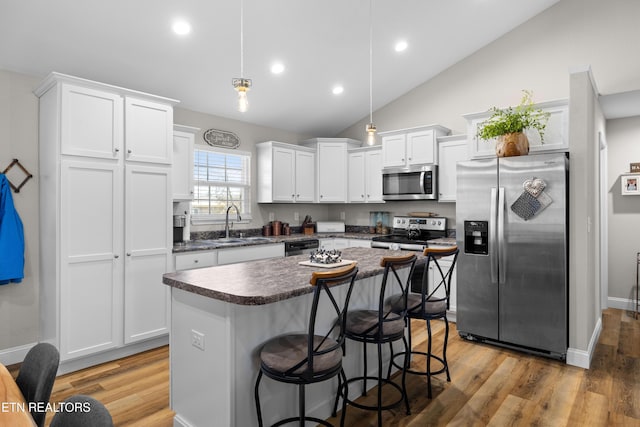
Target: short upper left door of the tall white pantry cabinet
[[91, 122]]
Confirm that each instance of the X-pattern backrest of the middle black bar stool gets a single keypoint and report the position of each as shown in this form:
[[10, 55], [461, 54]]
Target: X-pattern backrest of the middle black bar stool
[[391, 266]]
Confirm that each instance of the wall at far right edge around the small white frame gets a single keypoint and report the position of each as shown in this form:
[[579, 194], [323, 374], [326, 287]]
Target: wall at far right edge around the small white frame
[[624, 211]]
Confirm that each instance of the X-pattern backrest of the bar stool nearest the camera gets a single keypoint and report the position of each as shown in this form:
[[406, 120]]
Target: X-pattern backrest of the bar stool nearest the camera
[[323, 282]]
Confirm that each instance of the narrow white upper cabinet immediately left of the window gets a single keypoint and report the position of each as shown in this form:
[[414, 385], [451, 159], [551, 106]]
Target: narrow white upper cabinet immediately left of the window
[[182, 177]]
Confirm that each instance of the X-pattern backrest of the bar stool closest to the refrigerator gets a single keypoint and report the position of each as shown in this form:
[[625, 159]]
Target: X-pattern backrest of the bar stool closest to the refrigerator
[[441, 278]]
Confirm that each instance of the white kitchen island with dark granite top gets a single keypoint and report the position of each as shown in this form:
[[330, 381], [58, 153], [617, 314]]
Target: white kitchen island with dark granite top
[[221, 315]]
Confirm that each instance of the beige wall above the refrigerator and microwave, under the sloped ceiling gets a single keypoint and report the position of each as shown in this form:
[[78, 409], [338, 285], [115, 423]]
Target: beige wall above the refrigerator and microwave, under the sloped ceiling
[[536, 55]]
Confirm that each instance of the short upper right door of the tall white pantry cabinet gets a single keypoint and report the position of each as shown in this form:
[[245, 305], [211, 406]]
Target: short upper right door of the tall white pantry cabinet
[[148, 131]]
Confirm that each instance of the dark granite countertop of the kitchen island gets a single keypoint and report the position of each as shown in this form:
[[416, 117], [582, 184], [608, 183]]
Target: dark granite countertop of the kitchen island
[[267, 281]]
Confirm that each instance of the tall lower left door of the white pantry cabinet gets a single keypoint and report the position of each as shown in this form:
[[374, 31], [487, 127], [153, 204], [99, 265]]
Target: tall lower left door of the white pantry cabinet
[[91, 287]]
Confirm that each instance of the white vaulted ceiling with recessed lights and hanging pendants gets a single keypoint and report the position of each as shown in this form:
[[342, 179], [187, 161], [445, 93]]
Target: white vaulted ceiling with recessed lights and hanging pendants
[[321, 44]]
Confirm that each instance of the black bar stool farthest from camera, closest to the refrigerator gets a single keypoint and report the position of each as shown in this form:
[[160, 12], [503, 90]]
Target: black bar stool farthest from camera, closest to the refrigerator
[[430, 304]]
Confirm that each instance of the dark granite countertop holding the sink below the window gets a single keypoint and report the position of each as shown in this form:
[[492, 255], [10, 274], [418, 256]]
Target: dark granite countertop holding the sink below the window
[[210, 244]]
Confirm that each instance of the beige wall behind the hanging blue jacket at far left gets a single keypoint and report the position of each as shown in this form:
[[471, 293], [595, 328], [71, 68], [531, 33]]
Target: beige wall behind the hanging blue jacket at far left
[[19, 140]]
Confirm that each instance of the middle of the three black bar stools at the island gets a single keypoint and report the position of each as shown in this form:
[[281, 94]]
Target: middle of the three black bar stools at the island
[[379, 326]]
